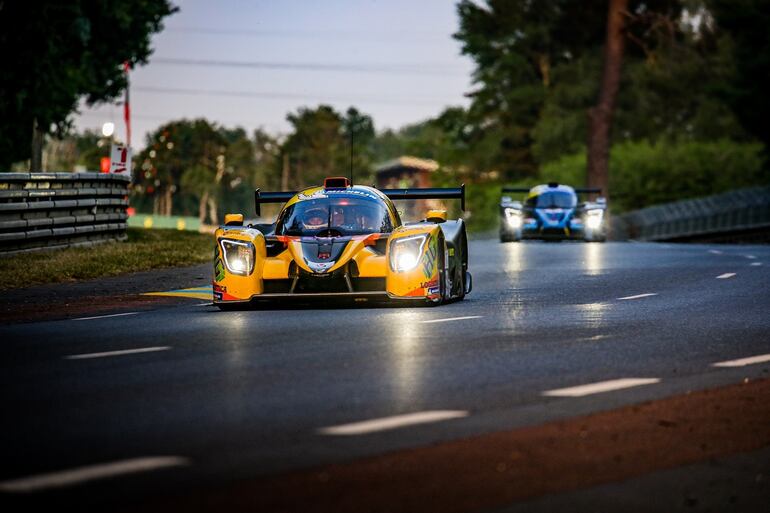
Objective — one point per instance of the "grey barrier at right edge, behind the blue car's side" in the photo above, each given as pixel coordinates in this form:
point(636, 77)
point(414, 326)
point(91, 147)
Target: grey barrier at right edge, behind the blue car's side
point(740, 215)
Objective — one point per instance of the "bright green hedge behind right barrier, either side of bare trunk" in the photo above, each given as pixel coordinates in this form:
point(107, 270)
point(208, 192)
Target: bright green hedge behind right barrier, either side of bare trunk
point(644, 173)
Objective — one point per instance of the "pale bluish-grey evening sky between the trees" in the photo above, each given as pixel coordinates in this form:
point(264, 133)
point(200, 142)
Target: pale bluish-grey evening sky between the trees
point(250, 63)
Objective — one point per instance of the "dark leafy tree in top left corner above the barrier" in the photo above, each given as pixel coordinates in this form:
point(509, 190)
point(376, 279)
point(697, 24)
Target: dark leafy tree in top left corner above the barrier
point(53, 54)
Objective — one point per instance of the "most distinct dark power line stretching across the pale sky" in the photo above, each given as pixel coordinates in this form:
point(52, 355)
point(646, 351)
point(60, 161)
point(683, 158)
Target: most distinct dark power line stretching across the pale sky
point(410, 69)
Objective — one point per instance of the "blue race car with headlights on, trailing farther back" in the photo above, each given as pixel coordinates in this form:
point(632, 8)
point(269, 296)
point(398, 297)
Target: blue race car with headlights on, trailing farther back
point(552, 212)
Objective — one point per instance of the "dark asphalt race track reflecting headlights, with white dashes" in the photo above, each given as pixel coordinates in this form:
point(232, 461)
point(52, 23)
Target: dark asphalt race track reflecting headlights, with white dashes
point(205, 398)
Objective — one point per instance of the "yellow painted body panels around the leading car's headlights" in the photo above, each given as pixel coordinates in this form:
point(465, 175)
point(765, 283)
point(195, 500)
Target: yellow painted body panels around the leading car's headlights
point(420, 282)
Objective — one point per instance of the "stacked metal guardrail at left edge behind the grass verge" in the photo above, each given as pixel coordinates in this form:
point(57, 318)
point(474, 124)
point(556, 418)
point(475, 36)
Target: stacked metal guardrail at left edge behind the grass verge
point(55, 210)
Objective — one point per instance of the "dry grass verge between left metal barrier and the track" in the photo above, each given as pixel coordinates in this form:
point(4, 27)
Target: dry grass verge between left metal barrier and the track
point(144, 250)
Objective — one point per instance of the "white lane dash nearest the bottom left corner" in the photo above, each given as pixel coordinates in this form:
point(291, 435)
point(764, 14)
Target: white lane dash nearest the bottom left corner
point(89, 473)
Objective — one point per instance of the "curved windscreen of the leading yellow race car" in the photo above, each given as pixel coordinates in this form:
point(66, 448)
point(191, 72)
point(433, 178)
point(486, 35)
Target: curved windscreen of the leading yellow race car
point(334, 216)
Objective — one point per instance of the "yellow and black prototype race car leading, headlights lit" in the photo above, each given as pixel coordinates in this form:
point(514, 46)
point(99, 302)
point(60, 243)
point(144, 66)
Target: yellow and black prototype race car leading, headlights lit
point(345, 241)
